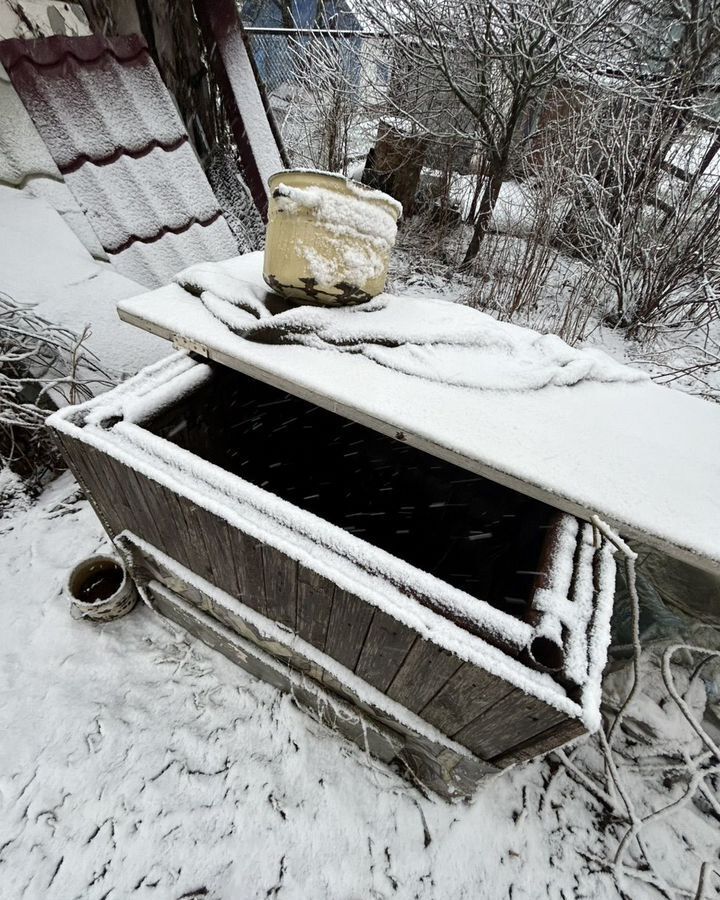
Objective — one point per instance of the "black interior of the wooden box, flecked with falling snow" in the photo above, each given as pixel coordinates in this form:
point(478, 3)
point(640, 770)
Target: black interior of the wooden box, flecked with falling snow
point(473, 534)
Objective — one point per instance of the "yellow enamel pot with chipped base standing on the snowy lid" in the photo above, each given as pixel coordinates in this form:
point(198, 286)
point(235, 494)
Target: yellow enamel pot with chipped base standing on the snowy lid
point(328, 238)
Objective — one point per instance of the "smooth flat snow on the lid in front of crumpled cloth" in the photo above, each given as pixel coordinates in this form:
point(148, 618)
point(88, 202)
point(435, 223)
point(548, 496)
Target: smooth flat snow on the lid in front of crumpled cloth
point(641, 456)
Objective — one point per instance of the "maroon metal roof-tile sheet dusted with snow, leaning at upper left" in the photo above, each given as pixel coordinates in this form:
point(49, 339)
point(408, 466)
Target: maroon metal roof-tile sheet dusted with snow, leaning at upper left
point(111, 127)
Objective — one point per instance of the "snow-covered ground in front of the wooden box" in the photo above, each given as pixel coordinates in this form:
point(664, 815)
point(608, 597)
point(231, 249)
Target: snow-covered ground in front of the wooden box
point(135, 762)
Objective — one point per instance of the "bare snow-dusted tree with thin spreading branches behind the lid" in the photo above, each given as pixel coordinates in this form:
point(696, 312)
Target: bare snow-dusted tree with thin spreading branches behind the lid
point(480, 70)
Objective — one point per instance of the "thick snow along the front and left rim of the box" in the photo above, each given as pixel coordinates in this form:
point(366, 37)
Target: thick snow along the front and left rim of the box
point(356, 566)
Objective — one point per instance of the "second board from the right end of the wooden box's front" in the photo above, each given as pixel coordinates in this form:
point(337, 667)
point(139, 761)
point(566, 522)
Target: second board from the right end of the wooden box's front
point(517, 718)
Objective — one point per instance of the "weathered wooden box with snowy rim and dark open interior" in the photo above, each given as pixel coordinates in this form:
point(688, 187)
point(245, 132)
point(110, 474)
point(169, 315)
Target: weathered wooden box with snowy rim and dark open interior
point(451, 626)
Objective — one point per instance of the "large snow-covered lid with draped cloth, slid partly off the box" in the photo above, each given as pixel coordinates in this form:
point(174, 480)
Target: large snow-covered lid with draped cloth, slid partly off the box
point(586, 437)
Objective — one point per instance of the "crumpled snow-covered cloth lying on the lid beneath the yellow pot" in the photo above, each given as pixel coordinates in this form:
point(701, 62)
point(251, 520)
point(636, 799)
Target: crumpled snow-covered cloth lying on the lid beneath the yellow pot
point(422, 337)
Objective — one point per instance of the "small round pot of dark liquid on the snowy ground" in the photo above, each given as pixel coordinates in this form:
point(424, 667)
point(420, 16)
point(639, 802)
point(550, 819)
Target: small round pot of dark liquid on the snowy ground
point(99, 589)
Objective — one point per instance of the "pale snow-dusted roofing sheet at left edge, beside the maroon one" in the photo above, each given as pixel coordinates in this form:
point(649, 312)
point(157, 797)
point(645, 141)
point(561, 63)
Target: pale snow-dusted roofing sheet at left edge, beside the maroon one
point(25, 163)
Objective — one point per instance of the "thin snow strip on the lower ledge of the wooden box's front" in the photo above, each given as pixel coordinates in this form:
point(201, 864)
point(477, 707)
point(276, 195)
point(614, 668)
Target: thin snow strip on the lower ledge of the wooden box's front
point(369, 695)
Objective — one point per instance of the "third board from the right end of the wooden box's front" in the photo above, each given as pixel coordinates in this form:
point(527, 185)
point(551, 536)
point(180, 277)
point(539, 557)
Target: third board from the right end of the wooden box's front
point(463, 697)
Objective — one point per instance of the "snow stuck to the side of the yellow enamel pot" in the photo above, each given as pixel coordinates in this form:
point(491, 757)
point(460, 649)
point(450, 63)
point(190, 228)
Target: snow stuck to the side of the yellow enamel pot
point(358, 232)
